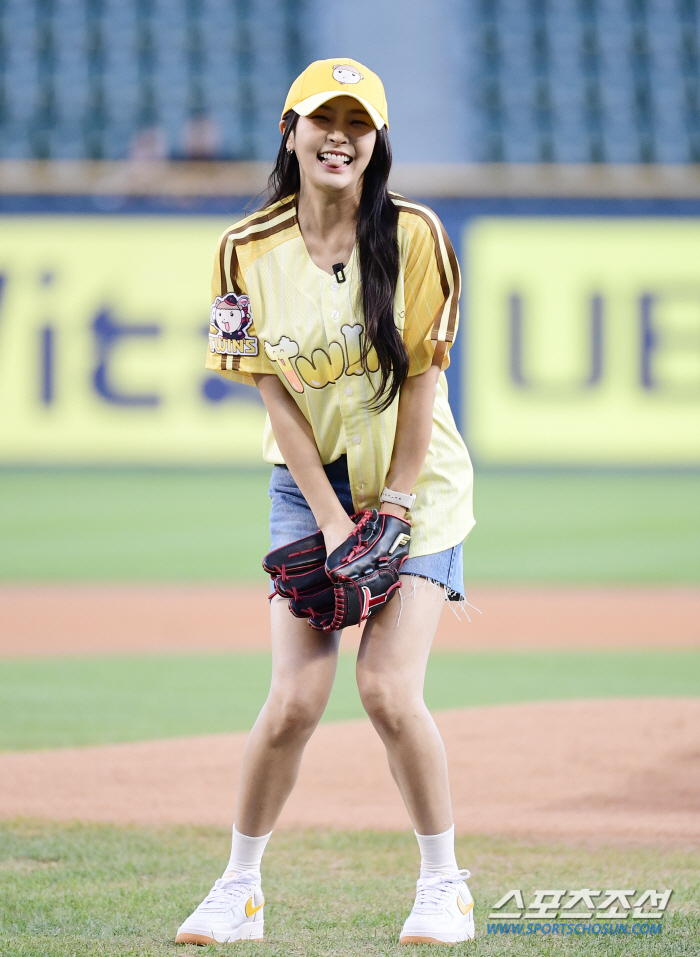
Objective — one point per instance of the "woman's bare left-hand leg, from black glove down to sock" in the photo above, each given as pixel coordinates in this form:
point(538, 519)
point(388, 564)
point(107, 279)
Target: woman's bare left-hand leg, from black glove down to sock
point(303, 668)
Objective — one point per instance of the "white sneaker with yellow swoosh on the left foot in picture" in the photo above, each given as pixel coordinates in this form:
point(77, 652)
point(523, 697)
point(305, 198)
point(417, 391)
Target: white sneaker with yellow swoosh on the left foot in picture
point(232, 910)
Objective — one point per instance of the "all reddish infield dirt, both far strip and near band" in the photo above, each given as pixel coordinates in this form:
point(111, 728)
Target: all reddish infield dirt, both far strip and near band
point(605, 770)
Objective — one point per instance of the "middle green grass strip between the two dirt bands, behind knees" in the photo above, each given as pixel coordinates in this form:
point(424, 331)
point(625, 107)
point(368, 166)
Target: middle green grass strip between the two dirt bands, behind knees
point(77, 701)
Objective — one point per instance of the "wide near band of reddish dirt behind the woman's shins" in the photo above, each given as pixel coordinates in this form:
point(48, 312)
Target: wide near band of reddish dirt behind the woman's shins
point(621, 770)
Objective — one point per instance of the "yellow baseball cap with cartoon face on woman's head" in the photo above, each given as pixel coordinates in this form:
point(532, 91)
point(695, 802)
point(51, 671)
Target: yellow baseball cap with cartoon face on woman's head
point(324, 79)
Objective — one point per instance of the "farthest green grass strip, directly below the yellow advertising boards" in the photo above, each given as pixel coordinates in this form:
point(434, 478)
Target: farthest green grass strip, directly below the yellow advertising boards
point(538, 527)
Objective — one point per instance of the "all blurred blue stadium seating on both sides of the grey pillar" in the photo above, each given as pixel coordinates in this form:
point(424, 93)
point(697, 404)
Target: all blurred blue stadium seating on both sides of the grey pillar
point(549, 80)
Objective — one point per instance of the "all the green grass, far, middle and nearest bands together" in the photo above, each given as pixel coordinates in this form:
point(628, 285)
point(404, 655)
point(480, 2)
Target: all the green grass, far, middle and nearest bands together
point(78, 890)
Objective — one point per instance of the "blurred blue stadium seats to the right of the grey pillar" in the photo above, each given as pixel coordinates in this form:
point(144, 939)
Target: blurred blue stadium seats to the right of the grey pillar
point(588, 80)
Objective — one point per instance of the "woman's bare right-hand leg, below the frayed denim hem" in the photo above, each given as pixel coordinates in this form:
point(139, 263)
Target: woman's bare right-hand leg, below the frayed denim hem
point(390, 675)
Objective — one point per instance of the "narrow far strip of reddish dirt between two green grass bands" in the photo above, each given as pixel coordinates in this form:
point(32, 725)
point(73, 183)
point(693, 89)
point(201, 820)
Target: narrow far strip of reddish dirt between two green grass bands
point(108, 619)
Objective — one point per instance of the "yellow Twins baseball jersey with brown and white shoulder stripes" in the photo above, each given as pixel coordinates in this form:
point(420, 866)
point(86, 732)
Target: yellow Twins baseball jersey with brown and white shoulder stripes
point(274, 311)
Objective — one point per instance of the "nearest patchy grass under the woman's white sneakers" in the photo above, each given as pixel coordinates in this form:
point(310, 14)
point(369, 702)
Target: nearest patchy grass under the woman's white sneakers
point(89, 890)
